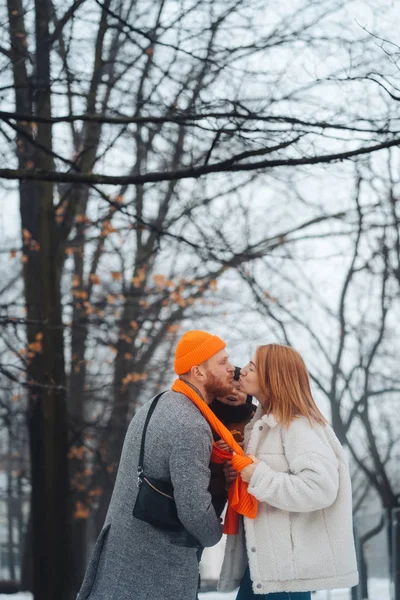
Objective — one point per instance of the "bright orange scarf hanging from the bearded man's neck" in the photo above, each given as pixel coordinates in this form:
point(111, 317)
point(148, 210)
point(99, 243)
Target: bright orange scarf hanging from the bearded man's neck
point(239, 499)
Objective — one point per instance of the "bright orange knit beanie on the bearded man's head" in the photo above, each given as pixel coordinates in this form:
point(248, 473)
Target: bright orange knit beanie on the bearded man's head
point(195, 347)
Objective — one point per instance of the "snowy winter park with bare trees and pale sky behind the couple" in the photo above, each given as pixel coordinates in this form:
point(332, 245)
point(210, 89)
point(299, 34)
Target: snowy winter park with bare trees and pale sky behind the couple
point(228, 165)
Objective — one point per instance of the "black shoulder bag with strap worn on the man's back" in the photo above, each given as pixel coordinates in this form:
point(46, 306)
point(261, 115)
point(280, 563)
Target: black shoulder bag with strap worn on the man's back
point(155, 502)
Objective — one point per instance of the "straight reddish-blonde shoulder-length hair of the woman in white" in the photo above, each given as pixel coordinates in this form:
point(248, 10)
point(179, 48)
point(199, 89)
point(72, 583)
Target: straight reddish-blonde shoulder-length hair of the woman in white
point(285, 381)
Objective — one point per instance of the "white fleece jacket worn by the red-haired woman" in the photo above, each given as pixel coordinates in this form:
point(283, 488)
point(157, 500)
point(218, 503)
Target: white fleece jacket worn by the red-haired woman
point(302, 537)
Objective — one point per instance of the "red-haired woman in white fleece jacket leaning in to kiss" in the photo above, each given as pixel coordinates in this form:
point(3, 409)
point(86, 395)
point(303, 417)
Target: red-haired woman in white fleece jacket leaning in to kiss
point(301, 539)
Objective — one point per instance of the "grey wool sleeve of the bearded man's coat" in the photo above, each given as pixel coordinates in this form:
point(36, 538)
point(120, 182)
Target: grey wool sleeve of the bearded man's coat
point(190, 476)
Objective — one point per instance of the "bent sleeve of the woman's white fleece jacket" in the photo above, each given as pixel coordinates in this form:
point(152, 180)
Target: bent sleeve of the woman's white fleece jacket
point(312, 482)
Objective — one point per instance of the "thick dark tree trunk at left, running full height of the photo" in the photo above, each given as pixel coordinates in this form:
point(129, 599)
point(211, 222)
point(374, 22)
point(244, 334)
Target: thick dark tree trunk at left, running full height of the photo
point(45, 357)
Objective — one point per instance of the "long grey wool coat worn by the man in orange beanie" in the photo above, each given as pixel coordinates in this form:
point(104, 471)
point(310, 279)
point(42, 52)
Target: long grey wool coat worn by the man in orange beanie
point(133, 560)
